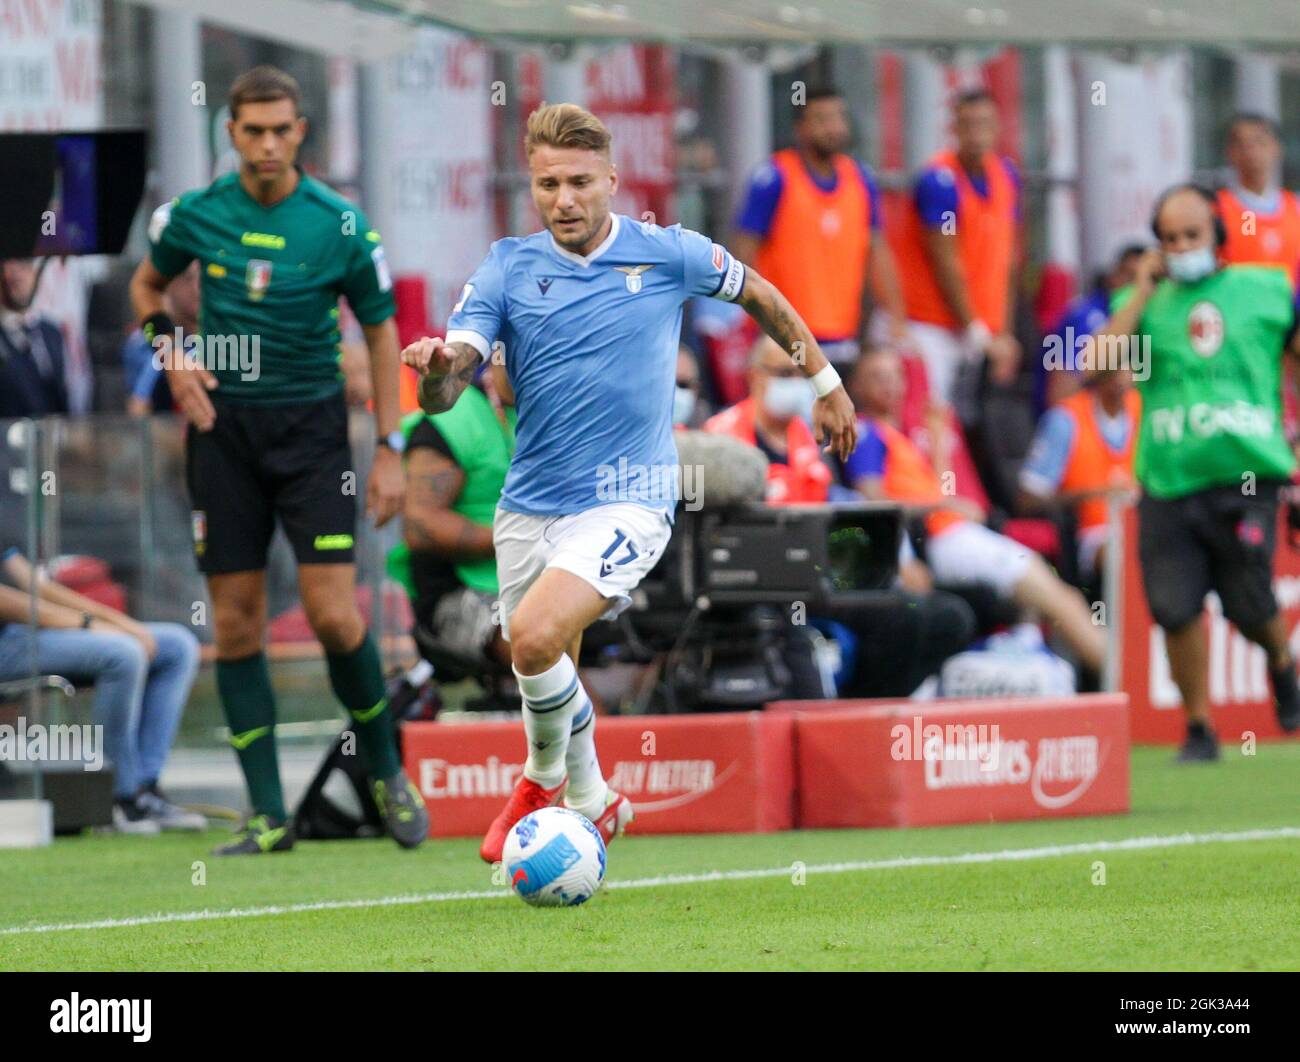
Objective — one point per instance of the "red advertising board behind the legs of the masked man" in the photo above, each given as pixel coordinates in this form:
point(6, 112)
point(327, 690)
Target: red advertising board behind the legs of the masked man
point(1241, 697)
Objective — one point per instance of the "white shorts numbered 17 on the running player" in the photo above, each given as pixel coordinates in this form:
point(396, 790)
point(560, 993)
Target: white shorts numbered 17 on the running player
point(612, 548)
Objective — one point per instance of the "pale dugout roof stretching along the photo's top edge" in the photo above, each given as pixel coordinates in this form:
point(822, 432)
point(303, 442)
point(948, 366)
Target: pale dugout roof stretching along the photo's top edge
point(372, 29)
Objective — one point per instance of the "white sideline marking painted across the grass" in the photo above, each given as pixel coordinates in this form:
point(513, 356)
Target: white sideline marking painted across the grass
point(1006, 856)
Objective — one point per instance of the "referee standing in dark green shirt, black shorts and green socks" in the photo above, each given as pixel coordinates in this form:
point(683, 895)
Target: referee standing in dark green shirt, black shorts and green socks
point(268, 436)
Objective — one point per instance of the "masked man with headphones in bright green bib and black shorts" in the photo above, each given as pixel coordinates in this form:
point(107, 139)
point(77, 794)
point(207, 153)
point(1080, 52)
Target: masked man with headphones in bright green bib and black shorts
point(1212, 456)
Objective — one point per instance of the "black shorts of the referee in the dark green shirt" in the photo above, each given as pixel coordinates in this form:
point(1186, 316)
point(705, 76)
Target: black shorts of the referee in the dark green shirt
point(259, 463)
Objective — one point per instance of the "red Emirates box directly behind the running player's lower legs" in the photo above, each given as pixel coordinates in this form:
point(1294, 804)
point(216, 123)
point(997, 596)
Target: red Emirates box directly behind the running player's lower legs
point(727, 773)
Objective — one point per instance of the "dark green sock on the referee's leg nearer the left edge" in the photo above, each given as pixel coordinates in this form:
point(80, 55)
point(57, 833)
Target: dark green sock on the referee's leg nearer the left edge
point(250, 706)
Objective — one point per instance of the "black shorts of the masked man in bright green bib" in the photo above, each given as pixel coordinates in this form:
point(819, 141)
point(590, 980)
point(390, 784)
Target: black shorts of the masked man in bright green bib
point(1219, 540)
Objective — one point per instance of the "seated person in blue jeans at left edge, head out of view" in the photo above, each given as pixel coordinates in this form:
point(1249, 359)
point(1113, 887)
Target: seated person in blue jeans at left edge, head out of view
point(142, 675)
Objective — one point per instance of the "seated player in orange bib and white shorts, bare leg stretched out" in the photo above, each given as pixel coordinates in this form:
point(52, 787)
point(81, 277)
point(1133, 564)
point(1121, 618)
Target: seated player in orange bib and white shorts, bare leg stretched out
point(959, 550)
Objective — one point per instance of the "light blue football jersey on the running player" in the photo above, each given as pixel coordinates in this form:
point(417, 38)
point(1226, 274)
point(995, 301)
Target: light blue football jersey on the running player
point(591, 349)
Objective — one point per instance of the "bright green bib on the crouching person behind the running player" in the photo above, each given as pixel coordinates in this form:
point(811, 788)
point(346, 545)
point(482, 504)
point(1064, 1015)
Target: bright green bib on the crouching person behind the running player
point(483, 450)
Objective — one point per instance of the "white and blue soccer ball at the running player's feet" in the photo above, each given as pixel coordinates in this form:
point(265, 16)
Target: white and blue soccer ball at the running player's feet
point(554, 859)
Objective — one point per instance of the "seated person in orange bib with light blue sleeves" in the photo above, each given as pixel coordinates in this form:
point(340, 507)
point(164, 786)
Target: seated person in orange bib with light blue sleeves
point(1084, 450)
